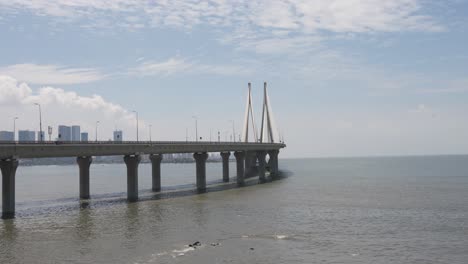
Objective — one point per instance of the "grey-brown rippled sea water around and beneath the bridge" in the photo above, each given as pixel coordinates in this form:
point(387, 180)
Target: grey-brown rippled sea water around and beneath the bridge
point(355, 210)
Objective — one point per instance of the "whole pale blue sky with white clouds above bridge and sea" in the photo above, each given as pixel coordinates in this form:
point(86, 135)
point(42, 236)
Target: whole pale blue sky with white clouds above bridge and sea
point(345, 77)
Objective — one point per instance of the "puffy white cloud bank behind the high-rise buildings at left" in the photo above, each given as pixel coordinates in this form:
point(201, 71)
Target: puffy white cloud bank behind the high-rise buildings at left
point(60, 107)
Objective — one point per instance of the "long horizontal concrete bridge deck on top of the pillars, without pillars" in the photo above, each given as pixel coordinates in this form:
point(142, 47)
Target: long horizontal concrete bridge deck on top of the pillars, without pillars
point(109, 148)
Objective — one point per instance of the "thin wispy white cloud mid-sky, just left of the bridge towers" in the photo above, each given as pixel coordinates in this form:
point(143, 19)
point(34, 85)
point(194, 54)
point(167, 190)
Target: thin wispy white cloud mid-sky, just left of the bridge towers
point(179, 65)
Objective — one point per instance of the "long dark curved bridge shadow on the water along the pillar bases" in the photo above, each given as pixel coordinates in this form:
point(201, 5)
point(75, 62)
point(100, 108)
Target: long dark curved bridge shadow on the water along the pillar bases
point(69, 205)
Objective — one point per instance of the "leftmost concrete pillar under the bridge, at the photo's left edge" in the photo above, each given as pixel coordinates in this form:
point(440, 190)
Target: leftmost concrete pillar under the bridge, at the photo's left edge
point(8, 168)
